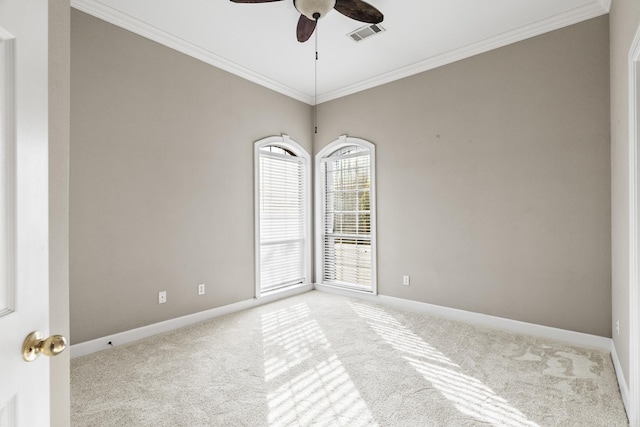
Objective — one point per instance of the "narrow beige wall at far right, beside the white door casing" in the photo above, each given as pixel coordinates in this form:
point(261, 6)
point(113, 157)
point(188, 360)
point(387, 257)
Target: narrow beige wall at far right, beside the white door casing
point(625, 19)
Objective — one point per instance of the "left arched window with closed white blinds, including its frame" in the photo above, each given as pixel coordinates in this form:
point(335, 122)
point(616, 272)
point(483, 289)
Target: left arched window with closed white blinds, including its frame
point(282, 203)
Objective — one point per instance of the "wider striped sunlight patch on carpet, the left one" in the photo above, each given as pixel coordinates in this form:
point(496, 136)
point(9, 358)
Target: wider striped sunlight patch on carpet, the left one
point(301, 390)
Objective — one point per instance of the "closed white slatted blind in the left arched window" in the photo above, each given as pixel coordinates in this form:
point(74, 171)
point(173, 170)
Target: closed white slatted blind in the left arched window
point(282, 220)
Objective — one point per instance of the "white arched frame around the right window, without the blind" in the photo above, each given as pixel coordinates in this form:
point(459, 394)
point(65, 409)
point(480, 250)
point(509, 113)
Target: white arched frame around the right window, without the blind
point(342, 142)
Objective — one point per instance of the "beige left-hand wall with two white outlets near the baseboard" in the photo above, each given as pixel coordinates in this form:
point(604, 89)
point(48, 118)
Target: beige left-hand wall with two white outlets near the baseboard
point(161, 179)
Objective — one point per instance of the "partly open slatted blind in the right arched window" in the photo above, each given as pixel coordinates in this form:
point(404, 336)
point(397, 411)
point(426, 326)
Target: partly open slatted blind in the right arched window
point(346, 242)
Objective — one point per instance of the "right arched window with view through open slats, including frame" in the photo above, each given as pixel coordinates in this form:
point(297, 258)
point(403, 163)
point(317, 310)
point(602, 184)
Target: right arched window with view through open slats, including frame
point(345, 216)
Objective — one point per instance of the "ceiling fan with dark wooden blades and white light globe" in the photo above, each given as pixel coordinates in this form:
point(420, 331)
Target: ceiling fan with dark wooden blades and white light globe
point(312, 10)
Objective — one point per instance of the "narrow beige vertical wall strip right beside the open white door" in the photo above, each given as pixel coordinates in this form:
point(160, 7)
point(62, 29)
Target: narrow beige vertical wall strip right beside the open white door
point(59, 32)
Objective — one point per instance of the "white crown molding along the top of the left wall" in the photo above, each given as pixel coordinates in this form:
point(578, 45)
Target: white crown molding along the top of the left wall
point(122, 20)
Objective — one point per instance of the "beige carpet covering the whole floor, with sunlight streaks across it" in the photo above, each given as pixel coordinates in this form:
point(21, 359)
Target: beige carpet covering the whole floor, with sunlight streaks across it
point(325, 360)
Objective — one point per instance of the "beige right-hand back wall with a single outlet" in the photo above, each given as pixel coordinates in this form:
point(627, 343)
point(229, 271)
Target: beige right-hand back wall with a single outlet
point(493, 178)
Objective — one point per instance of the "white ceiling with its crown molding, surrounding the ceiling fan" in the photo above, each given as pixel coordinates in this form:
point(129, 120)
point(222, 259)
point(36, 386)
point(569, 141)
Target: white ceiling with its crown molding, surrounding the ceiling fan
point(258, 41)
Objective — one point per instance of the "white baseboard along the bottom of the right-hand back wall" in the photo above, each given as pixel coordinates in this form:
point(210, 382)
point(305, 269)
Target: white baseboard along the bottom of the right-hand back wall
point(570, 337)
